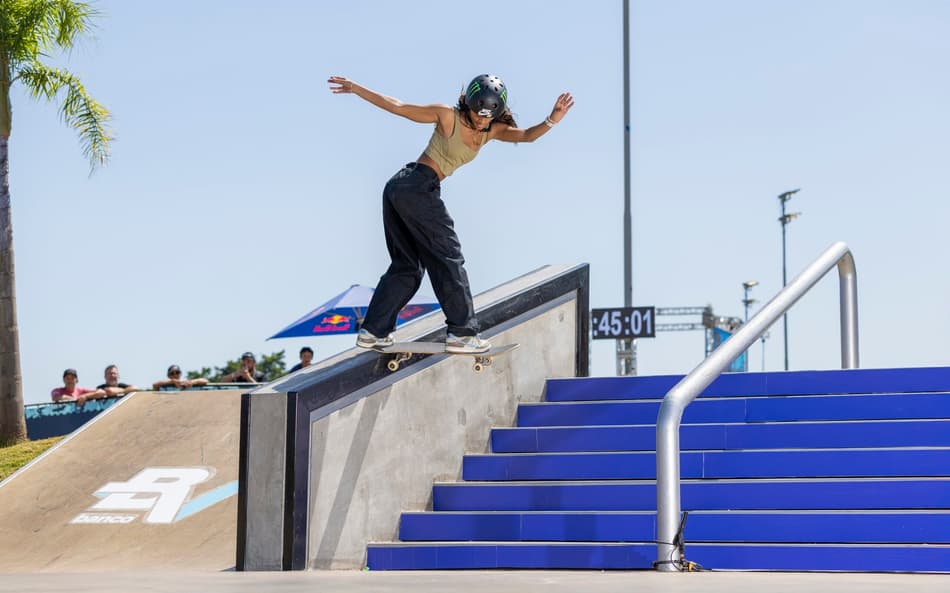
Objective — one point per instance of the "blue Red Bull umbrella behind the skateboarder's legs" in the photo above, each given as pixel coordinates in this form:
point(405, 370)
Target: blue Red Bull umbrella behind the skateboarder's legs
point(344, 313)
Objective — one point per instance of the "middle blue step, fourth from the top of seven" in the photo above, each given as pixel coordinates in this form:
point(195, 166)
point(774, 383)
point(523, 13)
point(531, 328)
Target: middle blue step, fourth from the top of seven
point(710, 464)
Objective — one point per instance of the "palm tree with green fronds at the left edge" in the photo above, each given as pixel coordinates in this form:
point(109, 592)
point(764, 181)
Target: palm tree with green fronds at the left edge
point(29, 30)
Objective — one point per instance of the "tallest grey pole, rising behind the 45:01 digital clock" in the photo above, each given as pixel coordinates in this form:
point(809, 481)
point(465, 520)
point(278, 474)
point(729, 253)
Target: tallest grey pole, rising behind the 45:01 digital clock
point(627, 348)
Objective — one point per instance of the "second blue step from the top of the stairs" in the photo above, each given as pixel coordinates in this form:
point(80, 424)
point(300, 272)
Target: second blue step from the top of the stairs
point(787, 409)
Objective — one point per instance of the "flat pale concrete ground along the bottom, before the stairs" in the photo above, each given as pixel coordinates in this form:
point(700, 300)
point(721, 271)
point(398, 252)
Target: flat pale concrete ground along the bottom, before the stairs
point(464, 581)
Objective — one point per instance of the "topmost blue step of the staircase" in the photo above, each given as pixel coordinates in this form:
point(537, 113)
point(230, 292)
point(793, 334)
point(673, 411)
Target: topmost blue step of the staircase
point(925, 379)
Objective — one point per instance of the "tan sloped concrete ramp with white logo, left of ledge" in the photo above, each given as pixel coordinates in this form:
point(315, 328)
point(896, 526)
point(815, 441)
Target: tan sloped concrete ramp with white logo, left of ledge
point(149, 484)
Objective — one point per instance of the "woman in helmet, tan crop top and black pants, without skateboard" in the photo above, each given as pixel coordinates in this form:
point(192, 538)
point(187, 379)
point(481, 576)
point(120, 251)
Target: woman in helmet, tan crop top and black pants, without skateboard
point(420, 234)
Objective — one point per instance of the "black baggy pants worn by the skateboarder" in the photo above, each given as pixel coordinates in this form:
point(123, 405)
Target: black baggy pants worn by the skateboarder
point(420, 236)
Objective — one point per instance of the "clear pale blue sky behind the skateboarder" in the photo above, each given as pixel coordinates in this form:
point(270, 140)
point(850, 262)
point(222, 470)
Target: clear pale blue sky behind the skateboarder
point(242, 193)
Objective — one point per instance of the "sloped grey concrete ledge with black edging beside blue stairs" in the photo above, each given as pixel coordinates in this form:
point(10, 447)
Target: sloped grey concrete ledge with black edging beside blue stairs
point(358, 444)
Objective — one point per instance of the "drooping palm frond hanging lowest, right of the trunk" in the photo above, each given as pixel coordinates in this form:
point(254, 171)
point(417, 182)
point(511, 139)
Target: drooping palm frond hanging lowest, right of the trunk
point(78, 109)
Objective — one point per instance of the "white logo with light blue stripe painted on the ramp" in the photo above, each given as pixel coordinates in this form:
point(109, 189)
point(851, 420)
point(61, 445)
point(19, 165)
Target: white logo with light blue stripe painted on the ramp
point(162, 491)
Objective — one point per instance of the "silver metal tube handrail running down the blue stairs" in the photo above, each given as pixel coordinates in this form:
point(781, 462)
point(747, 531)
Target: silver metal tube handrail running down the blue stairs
point(684, 392)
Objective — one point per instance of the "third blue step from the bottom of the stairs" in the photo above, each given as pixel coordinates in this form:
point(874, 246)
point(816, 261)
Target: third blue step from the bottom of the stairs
point(824, 494)
